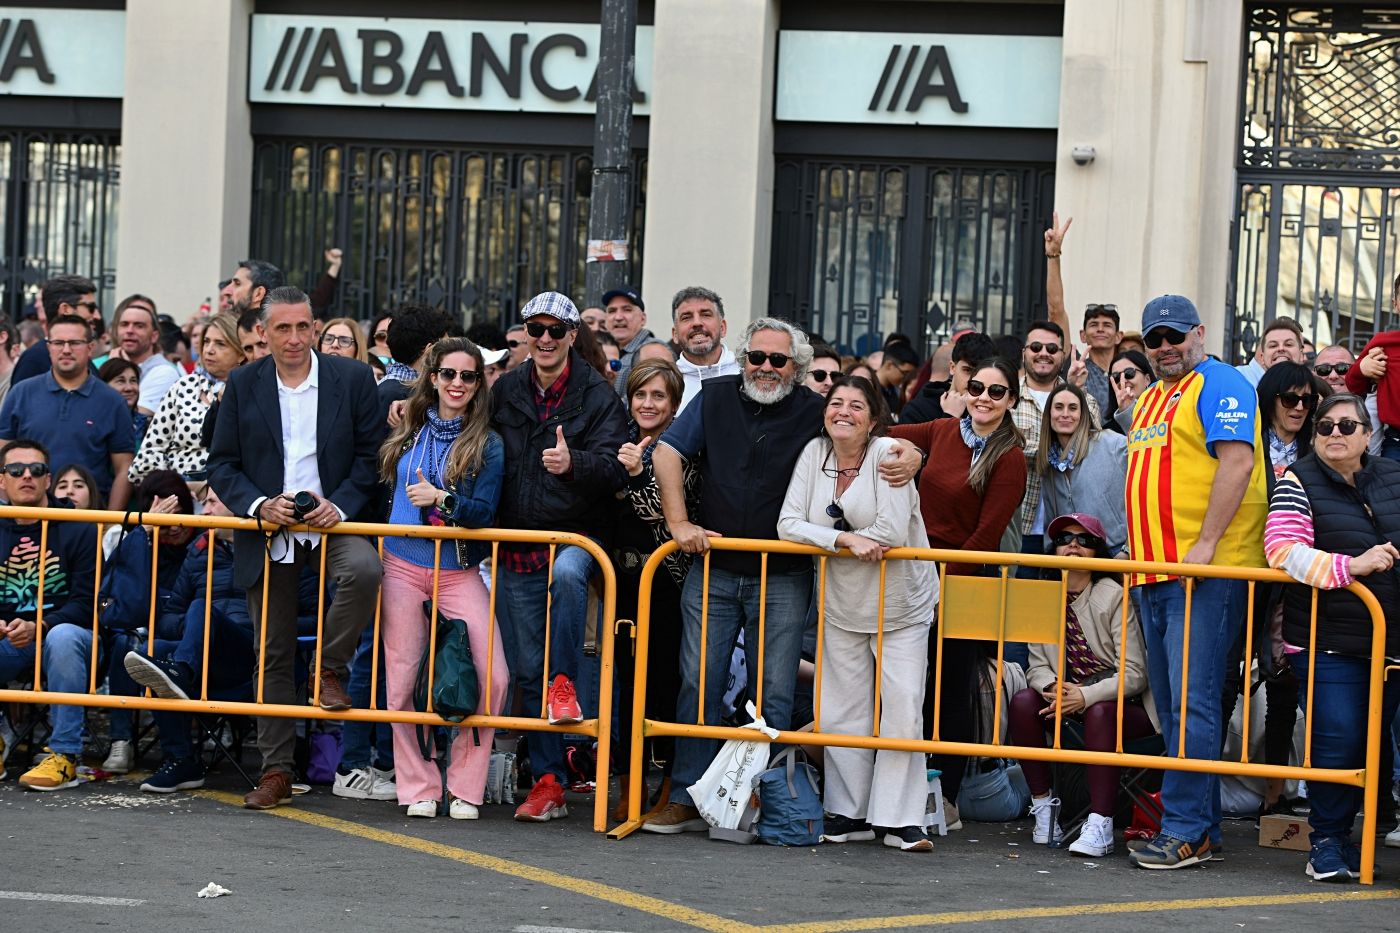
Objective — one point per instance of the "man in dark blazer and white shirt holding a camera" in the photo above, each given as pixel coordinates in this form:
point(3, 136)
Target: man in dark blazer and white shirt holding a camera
point(297, 422)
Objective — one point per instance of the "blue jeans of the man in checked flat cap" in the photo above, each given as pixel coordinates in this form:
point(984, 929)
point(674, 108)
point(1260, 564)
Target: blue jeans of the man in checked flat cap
point(520, 610)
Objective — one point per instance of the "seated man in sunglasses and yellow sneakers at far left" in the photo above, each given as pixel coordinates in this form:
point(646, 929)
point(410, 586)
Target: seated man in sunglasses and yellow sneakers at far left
point(66, 597)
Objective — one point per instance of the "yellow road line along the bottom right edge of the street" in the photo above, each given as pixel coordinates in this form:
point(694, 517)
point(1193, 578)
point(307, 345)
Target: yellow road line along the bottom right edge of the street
point(1074, 910)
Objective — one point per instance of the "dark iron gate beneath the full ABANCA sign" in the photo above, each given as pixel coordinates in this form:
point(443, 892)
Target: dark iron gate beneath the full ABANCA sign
point(475, 232)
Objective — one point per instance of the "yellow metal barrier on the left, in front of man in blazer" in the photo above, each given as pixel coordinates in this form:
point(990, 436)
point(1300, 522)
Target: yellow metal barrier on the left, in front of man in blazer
point(600, 729)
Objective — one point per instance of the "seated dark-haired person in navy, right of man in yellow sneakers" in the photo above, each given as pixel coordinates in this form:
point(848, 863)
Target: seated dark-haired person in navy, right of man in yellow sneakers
point(125, 599)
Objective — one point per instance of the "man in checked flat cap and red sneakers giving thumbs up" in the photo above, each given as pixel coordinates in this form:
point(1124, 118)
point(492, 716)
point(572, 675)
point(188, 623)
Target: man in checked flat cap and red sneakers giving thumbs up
point(562, 425)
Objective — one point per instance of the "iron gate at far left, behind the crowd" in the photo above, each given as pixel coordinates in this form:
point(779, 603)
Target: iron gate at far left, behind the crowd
point(58, 212)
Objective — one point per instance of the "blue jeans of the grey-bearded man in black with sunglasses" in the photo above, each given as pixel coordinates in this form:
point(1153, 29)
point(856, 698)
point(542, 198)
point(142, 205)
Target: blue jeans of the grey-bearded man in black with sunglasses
point(734, 606)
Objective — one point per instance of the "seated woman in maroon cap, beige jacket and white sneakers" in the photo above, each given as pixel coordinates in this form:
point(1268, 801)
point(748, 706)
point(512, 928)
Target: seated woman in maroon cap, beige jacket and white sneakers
point(1094, 641)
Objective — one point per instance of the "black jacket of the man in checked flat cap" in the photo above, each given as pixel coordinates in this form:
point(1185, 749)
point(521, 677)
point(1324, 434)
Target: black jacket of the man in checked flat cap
point(596, 427)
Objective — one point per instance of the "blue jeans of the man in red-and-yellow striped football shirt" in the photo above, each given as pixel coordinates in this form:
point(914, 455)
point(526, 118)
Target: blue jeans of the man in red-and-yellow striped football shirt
point(1191, 802)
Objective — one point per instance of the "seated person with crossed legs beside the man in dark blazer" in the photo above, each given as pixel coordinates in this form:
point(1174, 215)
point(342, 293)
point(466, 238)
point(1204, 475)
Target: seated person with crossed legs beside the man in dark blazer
point(173, 670)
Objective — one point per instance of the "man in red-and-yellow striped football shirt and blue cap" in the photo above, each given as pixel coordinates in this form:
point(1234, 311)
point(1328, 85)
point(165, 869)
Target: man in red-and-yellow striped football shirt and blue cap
point(1196, 495)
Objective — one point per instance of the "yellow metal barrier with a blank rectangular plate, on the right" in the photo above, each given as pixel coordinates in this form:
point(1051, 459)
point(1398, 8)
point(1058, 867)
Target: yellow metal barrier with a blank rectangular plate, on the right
point(1006, 610)
